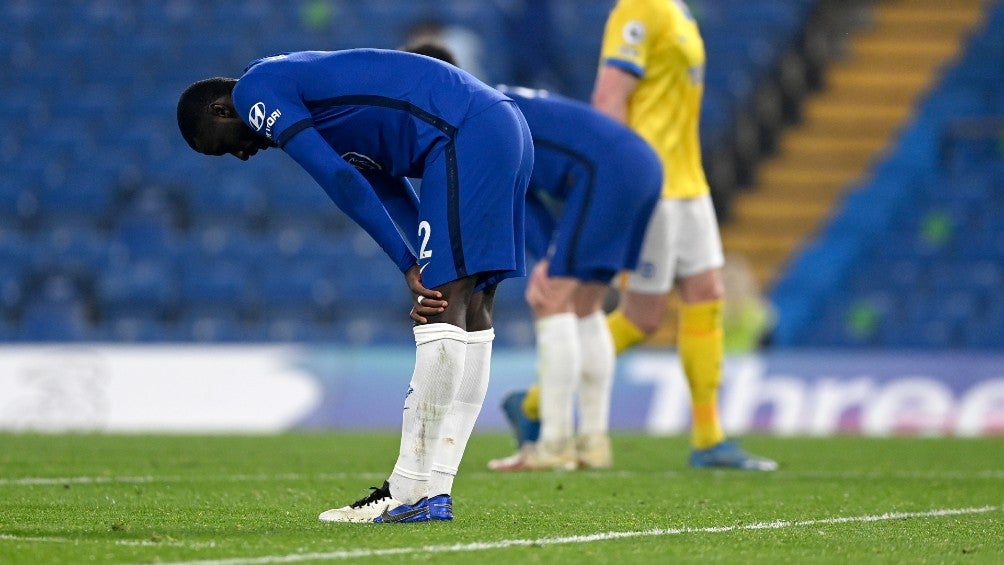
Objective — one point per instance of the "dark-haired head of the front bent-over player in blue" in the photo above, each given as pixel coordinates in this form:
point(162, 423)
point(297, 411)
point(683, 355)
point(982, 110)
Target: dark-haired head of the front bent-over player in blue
point(209, 122)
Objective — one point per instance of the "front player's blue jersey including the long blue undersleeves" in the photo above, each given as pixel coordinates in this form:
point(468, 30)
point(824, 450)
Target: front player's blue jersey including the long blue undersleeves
point(361, 122)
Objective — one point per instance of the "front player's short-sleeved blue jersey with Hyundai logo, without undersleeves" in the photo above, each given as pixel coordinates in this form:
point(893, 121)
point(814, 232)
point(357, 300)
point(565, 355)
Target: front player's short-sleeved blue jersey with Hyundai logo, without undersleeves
point(388, 108)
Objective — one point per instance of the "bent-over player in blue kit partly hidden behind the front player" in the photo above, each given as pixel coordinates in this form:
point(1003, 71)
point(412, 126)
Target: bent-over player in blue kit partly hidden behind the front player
point(594, 189)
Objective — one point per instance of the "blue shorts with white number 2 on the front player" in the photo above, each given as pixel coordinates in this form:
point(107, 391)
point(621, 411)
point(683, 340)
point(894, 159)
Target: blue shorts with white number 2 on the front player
point(471, 210)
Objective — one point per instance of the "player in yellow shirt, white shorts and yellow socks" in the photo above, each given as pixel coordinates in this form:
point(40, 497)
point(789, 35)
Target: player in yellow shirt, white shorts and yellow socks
point(652, 79)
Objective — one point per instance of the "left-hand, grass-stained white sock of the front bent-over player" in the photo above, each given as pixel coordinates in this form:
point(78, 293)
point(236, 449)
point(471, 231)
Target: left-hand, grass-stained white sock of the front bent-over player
point(440, 356)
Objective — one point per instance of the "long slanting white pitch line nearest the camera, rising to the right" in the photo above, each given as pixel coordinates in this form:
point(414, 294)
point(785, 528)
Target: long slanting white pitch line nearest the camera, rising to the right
point(589, 538)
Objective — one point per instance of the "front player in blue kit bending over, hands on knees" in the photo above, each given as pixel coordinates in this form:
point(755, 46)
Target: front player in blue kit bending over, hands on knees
point(362, 123)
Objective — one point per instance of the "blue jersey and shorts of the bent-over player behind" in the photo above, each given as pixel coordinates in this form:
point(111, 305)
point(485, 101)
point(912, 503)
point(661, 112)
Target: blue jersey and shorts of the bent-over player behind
point(598, 181)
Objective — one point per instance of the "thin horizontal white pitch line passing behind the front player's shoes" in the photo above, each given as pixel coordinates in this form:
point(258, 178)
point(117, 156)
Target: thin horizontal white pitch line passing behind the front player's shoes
point(602, 475)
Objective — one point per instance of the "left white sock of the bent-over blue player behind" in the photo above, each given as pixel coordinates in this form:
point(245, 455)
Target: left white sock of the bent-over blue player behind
point(560, 364)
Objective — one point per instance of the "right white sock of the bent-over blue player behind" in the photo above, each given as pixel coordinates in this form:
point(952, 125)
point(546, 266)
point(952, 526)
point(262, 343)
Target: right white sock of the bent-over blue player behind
point(599, 361)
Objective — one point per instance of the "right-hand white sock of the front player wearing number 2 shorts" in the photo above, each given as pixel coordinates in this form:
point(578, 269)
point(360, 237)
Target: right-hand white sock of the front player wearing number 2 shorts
point(463, 414)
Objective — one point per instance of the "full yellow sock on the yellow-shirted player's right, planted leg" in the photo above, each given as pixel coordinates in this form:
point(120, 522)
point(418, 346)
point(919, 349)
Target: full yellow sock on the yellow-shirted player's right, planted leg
point(702, 351)
